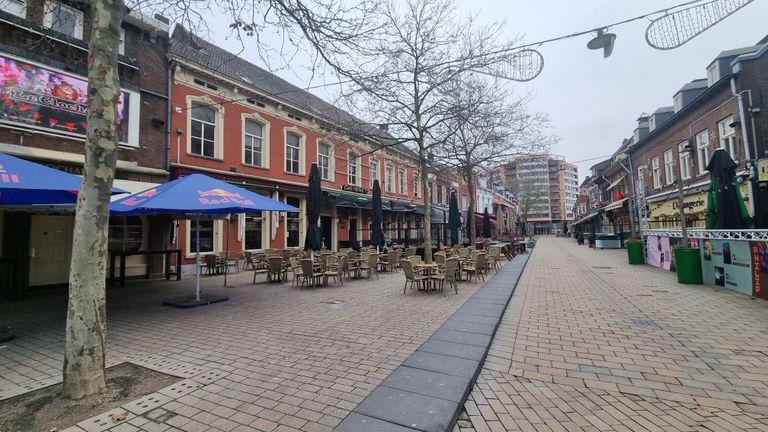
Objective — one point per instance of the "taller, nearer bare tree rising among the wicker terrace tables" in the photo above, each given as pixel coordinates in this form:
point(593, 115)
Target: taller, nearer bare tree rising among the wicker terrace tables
point(399, 75)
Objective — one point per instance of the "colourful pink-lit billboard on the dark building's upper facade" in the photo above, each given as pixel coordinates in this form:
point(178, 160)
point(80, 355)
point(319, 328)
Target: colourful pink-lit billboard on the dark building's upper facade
point(42, 98)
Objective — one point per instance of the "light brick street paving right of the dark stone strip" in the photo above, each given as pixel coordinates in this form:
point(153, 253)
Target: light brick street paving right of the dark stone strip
point(590, 343)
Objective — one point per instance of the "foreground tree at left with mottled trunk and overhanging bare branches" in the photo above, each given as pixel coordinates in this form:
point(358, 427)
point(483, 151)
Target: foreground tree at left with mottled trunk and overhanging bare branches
point(327, 26)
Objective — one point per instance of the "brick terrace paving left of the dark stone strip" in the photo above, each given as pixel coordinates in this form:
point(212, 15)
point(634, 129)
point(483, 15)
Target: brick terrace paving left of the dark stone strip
point(272, 358)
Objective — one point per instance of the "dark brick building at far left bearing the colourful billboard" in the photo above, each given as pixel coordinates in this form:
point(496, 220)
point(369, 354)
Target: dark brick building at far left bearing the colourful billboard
point(43, 51)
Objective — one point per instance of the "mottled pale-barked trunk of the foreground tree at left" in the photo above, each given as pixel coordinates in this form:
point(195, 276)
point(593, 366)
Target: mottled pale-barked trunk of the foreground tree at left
point(85, 345)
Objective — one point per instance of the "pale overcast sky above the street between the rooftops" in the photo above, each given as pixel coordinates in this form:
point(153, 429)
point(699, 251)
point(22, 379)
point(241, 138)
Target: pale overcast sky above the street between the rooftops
point(593, 103)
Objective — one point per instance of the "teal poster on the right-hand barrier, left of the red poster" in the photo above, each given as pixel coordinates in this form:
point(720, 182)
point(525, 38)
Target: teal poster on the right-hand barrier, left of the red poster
point(727, 264)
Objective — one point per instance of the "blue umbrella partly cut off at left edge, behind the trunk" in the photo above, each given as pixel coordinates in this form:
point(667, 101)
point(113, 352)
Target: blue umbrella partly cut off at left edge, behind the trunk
point(25, 183)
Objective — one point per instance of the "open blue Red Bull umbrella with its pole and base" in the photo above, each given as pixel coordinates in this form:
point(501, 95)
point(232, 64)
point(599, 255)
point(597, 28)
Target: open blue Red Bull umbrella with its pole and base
point(196, 195)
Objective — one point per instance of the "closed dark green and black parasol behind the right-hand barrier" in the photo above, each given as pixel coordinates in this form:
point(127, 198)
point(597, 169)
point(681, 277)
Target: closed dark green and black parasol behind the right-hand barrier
point(725, 205)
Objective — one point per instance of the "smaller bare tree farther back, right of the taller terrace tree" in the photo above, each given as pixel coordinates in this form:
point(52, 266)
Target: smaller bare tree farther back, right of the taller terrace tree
point(488, 127)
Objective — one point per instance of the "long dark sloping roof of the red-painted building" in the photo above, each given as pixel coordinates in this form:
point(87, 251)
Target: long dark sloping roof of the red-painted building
point(187, 46)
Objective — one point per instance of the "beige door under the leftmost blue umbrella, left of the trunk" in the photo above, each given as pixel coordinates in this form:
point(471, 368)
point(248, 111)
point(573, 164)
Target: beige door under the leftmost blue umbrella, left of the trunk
point(50, 249)
